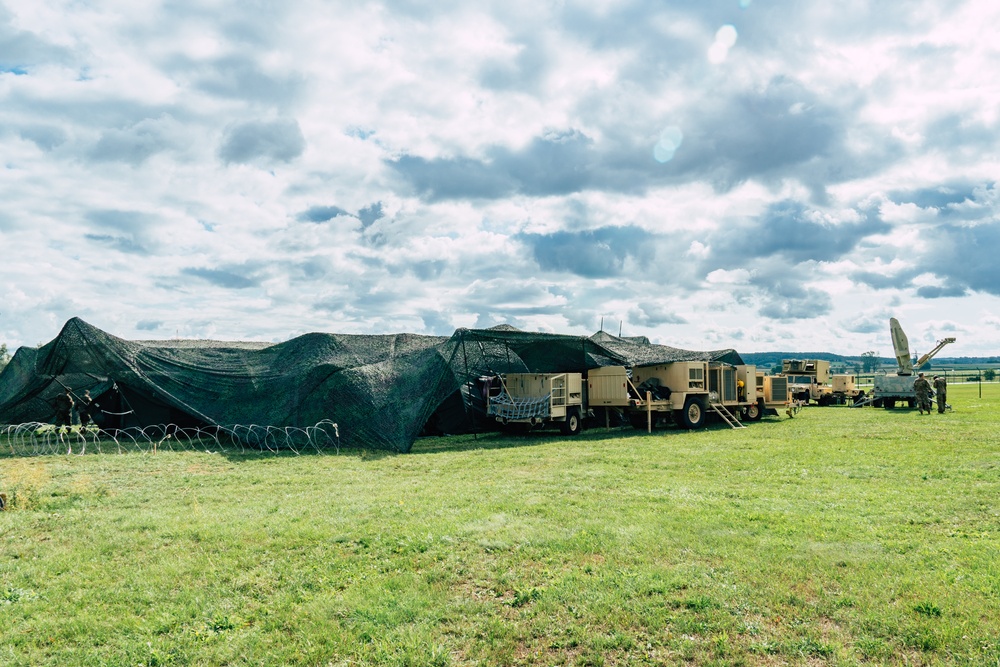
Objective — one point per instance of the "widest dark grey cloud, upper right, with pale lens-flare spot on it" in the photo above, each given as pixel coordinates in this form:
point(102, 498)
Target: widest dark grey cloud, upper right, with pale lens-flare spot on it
point(782, 130)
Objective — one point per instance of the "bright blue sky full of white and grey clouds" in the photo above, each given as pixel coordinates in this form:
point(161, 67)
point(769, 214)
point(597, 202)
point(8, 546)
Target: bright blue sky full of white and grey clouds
point(761, 175)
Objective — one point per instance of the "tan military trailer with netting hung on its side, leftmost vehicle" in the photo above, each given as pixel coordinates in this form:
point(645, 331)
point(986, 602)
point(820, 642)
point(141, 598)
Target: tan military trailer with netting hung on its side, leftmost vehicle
point(539, 400)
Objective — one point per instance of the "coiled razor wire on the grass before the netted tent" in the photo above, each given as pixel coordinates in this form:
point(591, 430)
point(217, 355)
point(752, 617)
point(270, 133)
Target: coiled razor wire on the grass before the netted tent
point(37, 439)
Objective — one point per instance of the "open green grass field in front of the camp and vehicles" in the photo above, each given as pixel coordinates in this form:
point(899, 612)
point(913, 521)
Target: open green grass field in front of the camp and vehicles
point(839, 537)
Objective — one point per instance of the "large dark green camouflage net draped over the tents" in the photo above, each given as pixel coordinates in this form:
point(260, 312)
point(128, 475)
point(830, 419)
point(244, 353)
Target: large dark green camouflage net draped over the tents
point(383, 391)
